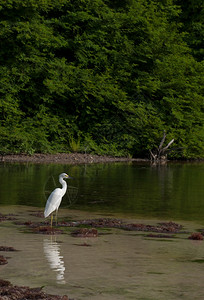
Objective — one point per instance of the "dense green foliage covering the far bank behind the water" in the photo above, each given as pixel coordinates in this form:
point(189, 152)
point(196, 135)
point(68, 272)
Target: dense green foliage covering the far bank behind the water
point(103, 76)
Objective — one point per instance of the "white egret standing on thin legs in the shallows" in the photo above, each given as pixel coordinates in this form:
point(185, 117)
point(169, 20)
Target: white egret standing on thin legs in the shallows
point(55, 198)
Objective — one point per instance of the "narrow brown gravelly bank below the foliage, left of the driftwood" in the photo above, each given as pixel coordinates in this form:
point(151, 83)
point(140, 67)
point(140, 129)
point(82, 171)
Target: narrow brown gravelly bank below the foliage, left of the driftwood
point(67, 158)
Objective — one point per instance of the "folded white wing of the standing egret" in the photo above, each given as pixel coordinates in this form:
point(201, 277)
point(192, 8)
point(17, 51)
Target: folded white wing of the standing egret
point(53, 202)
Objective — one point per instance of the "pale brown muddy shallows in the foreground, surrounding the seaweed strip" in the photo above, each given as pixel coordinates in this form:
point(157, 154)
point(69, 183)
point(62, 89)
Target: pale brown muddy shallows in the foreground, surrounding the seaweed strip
point(117, 264)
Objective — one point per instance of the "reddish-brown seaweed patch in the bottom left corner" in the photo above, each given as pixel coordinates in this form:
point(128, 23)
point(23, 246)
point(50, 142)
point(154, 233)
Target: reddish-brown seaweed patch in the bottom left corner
point(13, 292)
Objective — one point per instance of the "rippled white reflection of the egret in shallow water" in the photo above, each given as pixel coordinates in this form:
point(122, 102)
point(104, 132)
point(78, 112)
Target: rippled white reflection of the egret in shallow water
point(52, 253)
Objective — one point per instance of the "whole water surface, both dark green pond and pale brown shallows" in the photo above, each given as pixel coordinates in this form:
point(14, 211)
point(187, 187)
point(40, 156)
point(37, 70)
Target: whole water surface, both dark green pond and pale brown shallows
point(118, 264)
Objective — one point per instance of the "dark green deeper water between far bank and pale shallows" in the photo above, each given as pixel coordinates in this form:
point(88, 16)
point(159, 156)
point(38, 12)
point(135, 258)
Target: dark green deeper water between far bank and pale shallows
point(173, 191)
